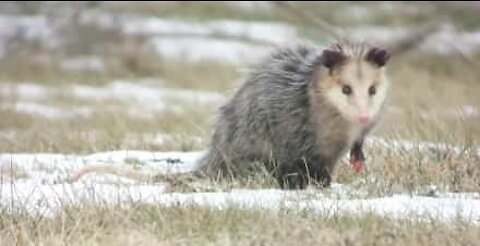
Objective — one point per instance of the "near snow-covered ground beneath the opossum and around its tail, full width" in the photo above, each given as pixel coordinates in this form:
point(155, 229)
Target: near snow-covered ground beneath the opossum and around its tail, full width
point(45, 189)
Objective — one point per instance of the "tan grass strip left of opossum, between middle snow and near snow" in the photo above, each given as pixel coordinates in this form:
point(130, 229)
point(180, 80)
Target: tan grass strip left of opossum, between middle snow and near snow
point(104, 130)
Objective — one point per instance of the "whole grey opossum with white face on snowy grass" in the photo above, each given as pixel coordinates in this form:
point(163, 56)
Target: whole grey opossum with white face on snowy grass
point(298, 112)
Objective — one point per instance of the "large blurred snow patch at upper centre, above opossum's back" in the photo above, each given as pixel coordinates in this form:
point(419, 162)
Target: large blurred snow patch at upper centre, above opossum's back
point(195, 41)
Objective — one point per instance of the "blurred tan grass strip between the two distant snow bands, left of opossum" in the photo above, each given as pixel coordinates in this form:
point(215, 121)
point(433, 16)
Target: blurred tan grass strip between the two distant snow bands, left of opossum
point(214, 76)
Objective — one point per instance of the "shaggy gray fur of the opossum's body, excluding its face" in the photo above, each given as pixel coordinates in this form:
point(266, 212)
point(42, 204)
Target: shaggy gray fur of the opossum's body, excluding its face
point(271, 120)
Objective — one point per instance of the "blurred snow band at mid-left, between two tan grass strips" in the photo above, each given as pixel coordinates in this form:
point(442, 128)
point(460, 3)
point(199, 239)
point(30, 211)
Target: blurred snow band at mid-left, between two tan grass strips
point(142, 98)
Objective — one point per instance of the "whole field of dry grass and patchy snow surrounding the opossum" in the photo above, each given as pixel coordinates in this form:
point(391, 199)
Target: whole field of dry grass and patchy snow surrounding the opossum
point(138, 85)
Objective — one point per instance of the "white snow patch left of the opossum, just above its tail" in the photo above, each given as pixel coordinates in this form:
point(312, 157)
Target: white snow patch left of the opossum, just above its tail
point(49, 168)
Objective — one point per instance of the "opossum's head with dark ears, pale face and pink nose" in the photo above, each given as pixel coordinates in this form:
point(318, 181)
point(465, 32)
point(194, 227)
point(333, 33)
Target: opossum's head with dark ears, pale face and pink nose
point(354, 81)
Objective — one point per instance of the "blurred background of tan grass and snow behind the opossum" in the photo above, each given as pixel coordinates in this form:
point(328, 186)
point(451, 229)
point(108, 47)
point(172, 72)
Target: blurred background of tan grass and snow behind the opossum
point(93, 76)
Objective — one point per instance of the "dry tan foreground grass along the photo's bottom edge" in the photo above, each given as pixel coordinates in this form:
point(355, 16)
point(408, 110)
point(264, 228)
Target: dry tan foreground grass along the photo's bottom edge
point(192, 225)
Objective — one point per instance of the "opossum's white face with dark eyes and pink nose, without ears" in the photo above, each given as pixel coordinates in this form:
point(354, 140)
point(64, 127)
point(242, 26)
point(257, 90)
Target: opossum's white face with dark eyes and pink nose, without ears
point(357, 88)
